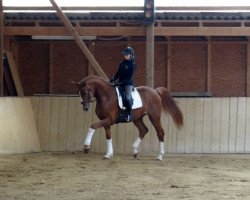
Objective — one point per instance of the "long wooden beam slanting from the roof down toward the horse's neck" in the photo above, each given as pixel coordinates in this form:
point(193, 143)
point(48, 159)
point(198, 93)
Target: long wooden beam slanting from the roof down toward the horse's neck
point(80, 43)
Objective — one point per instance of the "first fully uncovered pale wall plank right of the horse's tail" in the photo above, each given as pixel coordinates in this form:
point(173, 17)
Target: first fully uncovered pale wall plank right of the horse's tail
point(190, 118)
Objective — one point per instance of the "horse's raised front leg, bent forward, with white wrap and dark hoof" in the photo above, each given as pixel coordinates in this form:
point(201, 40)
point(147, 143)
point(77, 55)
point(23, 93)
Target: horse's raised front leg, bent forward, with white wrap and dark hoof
point(91, 130)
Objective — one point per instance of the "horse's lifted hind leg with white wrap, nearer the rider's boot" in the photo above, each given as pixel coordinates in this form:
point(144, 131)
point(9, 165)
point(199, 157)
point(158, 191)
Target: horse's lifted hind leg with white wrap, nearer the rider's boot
point(142, 132)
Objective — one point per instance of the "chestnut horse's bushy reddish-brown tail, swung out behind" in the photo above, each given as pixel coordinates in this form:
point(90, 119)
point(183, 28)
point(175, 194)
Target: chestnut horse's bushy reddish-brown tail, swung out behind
point(170, 106)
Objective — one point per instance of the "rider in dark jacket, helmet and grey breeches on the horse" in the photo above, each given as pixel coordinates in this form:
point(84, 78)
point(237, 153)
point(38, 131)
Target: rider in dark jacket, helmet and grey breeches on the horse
point(124, 77)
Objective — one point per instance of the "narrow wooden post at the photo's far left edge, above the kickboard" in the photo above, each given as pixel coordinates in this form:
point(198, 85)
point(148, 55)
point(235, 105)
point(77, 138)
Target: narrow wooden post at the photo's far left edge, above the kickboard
point(1, 47)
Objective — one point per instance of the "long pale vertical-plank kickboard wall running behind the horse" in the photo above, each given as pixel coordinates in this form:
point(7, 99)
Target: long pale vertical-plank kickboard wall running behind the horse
point(212, 125)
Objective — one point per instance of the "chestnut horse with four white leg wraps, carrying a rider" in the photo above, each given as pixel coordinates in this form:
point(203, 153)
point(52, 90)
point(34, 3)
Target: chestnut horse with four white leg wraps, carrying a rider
point(94, 88)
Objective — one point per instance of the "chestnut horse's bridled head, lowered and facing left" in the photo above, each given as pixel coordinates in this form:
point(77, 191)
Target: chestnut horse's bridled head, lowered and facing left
point(86, 94)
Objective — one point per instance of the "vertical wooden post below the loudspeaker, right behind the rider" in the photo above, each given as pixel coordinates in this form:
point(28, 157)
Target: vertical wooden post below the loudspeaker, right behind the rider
point(150, 55)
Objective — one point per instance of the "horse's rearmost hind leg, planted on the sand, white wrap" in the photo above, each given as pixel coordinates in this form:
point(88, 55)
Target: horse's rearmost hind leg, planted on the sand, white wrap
point(160, 133)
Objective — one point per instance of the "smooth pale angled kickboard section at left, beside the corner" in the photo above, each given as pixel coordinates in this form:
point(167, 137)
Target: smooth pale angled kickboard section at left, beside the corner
point(18, 131)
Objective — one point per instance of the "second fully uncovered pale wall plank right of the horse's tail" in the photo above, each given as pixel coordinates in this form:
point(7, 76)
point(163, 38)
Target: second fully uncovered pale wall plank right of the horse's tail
point(198, 125)
